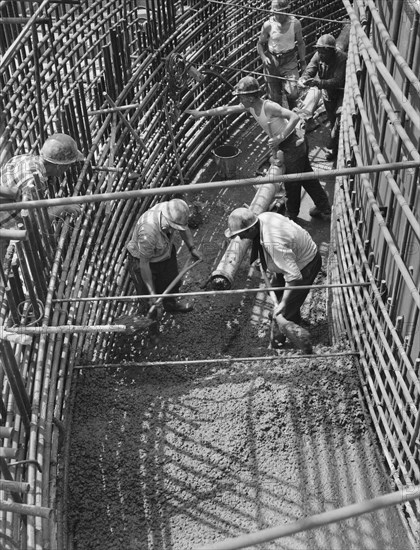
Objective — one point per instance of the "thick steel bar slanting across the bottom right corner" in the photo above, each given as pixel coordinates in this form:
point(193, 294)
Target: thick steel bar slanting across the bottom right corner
point(407, 494)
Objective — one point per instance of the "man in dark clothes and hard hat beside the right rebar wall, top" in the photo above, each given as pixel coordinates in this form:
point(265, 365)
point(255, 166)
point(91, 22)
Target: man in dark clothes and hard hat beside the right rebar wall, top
point(327, 71)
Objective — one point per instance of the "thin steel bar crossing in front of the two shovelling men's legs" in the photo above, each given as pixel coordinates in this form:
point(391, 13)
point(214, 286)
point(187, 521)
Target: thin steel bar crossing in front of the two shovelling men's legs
point(205, 293)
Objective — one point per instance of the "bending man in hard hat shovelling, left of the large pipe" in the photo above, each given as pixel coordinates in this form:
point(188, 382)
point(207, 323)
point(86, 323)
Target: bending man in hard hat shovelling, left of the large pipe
point(152, 254)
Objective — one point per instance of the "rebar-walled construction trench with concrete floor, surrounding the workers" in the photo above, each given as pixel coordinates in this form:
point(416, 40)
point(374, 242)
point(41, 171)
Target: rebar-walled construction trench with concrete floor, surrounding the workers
point(113, 439)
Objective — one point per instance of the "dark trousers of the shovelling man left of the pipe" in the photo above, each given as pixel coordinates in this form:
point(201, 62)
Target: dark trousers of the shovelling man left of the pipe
point(163, 274)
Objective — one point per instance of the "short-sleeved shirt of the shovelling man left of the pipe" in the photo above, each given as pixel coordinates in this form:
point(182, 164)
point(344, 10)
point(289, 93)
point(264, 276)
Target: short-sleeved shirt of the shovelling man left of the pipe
point(148, 240)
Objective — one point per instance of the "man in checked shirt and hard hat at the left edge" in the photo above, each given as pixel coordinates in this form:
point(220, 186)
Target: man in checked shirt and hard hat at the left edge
point(29, 174)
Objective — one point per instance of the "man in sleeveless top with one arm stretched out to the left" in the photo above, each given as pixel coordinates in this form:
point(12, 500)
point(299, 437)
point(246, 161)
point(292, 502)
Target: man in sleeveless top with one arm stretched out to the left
point(279, 124)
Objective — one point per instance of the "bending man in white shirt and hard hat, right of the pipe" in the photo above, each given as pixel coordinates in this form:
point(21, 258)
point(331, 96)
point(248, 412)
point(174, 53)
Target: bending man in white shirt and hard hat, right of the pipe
point(287, 251)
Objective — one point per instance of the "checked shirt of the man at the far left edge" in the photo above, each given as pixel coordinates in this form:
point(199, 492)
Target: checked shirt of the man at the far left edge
point(19, 172)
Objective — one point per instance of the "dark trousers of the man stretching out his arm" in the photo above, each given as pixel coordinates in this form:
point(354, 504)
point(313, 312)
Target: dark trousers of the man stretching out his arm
point(296, 161)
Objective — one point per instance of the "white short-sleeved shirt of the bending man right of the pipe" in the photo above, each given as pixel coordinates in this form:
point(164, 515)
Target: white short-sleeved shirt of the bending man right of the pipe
point(288, 248)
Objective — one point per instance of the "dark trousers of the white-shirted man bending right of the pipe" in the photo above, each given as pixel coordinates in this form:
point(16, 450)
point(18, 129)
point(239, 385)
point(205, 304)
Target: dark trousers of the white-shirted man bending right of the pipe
point(297, 297)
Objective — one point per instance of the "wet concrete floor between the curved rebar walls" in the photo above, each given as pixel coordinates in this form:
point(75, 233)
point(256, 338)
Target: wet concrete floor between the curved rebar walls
point(175, 456)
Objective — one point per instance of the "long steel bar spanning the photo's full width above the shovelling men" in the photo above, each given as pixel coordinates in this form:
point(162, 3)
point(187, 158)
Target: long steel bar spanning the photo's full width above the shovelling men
point(126, 195)
